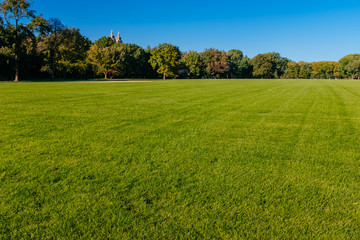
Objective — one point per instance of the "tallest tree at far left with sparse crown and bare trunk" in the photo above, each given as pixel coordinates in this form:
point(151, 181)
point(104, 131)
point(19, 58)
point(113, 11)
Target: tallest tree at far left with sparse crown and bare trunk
point(18, 28)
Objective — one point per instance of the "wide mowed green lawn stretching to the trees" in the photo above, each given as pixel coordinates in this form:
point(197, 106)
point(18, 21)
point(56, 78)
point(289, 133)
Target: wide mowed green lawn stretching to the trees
point(180, 159)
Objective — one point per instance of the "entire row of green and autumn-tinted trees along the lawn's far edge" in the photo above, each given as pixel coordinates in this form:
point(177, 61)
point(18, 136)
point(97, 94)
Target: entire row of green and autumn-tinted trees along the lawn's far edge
point(33, 47)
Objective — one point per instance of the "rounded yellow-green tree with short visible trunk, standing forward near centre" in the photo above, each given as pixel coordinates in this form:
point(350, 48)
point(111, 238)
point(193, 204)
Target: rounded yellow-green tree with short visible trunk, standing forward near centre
point(165, 59)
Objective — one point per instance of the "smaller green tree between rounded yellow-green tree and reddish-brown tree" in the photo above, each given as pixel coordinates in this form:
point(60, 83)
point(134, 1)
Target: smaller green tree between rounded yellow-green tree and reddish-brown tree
point(193, 63)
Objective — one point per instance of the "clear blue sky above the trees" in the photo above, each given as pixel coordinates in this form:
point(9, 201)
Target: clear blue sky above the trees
point(300, 30)
